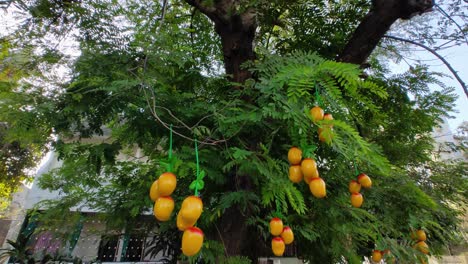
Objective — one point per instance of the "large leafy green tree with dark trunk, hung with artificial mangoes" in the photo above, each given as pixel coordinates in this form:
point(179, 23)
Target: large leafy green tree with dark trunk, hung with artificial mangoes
point(143, 67)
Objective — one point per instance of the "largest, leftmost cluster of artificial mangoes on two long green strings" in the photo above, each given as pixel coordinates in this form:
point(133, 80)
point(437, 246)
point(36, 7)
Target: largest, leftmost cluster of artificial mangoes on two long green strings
point(190, 211)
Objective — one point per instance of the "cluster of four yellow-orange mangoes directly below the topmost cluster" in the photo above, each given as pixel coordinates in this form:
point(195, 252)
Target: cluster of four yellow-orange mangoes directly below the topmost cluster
point(305, 169)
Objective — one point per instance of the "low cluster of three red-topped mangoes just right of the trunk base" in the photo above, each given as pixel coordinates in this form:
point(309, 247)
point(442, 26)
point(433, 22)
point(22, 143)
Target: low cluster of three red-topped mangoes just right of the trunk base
point(282, 236)
